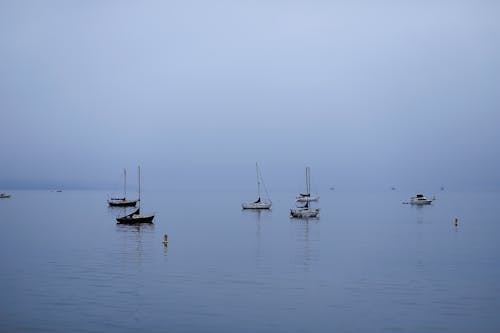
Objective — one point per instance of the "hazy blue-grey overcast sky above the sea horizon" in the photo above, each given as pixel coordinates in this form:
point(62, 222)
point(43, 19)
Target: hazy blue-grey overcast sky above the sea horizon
point(368, 93)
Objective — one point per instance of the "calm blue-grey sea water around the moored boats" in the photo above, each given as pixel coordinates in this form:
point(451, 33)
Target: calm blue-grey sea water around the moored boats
point(369, 263)
